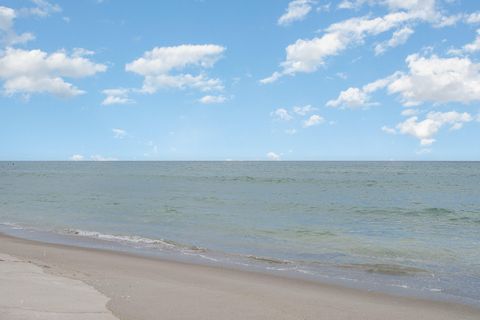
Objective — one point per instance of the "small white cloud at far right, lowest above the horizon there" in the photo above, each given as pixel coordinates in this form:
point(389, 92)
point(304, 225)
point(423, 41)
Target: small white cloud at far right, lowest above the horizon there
point(426, 129)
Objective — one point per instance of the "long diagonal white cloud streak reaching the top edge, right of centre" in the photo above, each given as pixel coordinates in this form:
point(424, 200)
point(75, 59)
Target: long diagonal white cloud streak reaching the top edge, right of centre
point(308, 55)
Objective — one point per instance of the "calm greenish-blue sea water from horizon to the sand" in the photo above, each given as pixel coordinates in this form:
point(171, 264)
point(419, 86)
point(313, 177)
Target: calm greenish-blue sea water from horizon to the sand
point(404, 227)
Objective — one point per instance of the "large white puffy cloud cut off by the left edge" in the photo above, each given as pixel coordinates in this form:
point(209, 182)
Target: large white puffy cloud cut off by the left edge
point(35, 71)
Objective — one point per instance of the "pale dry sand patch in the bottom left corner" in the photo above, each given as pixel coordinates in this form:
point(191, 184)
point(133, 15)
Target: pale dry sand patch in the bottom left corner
point(26, 292)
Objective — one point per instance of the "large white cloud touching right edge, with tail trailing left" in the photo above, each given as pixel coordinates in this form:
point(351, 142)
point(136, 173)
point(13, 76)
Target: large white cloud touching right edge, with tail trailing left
point(429, 79)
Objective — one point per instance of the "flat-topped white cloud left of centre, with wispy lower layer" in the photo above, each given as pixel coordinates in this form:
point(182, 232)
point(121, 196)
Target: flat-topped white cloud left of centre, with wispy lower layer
point(165, 67)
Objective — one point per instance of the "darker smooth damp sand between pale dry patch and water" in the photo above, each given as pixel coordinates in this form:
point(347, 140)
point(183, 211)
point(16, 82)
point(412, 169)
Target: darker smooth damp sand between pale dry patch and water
point(147, 288)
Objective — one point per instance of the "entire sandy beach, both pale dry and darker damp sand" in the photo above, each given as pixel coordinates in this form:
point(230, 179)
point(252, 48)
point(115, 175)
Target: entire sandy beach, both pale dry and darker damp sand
point(134, 287)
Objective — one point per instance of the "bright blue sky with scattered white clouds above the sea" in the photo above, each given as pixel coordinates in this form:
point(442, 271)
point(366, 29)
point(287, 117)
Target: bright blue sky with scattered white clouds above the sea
point(239, 80)
